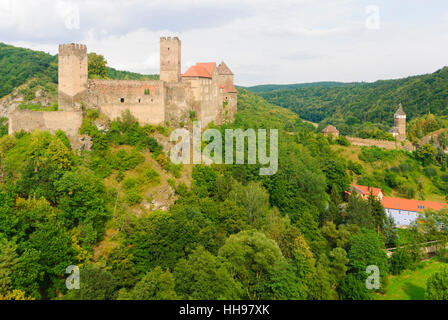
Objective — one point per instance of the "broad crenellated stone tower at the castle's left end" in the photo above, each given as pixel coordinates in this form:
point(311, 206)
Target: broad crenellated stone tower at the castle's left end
point(73, 75)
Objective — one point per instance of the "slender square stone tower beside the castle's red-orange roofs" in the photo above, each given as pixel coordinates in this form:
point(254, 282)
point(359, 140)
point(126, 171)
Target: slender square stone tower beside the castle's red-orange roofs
point(170, 59)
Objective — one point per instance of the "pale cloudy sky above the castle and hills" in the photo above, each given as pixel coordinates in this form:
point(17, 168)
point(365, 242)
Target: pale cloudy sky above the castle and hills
point(262, 41)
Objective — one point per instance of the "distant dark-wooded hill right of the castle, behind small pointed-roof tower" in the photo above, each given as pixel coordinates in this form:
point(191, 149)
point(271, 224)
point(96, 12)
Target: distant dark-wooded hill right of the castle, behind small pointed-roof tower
point(364, 102)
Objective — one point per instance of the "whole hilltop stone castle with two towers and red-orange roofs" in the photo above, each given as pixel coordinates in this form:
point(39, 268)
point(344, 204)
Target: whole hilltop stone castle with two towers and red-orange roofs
point(205, 91)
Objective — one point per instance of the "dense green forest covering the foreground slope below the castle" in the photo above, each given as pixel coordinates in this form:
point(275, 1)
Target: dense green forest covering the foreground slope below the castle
point(230, 234)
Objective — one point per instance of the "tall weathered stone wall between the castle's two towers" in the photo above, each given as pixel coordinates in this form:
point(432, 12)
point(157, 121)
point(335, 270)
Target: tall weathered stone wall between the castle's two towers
point(144, 99)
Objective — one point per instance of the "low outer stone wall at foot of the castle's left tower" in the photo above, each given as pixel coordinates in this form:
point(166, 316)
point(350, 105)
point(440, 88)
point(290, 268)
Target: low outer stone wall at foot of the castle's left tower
point(27, 120)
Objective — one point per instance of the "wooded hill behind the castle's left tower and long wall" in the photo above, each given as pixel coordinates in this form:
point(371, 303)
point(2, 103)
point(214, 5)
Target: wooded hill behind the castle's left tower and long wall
point(18, 65)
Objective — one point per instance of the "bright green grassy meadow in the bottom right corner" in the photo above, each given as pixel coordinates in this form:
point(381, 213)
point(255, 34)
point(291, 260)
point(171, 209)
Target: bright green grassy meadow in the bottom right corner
point(411, 284)
